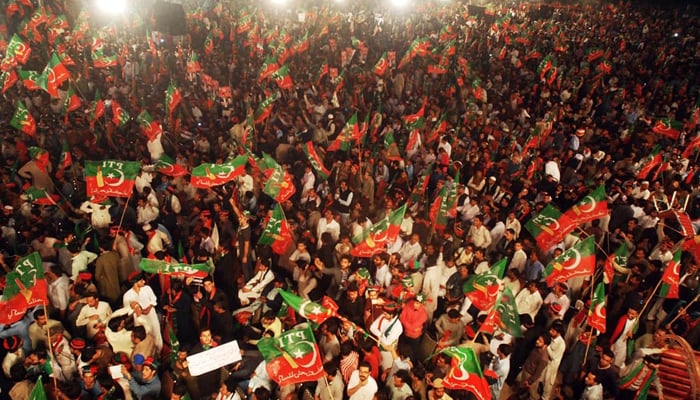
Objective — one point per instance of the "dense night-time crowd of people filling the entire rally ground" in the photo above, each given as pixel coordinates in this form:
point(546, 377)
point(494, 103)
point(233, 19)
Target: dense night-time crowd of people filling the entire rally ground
point(512, 107)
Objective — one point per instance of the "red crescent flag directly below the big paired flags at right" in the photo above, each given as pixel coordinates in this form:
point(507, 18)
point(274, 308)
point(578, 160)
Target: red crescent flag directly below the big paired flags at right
point(578, 260)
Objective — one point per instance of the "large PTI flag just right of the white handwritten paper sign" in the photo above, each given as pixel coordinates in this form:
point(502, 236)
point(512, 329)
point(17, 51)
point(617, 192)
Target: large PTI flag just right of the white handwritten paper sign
point(292, 357)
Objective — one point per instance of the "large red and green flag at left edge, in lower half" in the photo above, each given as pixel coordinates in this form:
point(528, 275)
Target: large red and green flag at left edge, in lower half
point(25, 288)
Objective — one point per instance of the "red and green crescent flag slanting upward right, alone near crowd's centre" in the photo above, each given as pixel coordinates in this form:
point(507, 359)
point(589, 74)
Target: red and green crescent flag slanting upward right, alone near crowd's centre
point(375, 239)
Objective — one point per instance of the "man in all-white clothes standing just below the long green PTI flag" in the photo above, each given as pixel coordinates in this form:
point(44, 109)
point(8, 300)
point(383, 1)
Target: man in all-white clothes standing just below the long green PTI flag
point(141, 299)
